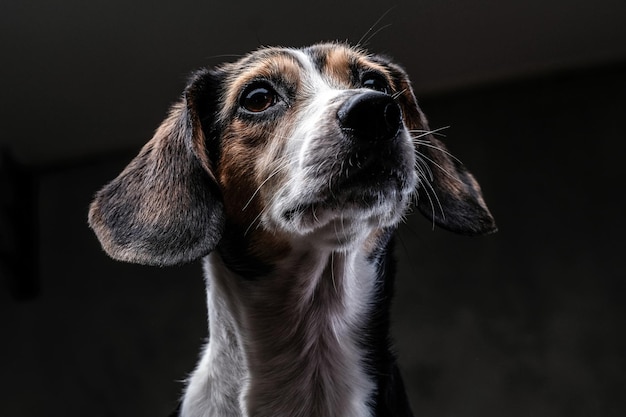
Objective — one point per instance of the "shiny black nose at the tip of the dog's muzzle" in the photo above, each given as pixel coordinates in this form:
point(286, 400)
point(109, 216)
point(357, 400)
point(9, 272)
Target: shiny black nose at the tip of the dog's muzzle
point(370, 116)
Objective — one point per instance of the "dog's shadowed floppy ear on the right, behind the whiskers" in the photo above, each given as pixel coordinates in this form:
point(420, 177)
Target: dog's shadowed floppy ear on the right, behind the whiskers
point(447, 192)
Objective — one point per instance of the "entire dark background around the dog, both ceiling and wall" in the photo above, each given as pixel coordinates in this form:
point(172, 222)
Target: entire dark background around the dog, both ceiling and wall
point(527, 322)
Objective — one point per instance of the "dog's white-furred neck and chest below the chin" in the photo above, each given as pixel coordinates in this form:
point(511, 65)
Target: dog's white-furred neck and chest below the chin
point(289, 343)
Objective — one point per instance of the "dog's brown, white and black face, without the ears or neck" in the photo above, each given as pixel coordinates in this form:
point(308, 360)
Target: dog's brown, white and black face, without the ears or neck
point(313, 142)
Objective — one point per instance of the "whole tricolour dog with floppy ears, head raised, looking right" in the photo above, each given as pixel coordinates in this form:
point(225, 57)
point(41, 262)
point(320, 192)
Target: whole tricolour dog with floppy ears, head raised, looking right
point(287, 172)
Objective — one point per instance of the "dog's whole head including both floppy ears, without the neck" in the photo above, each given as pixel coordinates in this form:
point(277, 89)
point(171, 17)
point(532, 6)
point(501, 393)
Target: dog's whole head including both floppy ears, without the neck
point(324, 144)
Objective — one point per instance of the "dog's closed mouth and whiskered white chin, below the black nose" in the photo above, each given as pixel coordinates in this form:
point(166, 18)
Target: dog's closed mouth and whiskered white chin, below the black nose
point(362, 187)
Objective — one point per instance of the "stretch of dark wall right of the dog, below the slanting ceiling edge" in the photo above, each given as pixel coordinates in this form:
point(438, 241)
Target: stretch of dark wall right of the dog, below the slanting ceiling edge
point(530, 321)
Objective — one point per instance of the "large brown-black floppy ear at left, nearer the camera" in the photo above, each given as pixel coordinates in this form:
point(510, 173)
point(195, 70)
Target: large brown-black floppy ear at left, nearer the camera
point(165, 207)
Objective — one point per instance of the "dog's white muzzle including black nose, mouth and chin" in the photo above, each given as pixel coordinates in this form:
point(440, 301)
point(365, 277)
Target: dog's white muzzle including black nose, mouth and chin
point(360, 166)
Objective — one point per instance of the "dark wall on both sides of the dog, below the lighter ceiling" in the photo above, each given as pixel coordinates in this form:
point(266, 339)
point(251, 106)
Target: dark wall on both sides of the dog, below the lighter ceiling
point(526, 322)
